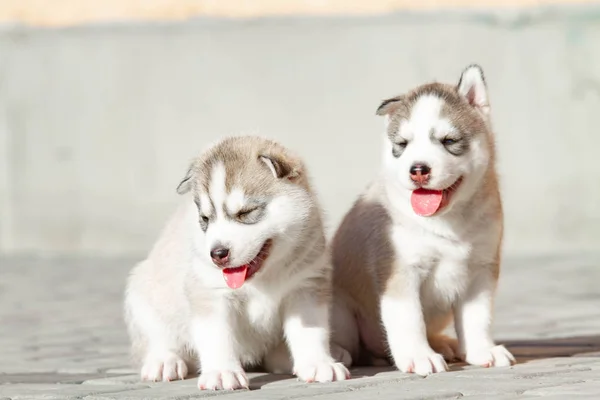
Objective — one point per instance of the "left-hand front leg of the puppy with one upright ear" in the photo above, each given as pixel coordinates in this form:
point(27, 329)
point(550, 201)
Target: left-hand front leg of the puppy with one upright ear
point(402, 317)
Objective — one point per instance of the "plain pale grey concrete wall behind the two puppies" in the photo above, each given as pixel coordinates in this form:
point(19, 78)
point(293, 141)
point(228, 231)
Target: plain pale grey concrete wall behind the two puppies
point(98, 123)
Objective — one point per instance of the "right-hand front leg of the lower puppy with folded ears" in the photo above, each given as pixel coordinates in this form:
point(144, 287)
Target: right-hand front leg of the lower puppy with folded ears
point(306, 327)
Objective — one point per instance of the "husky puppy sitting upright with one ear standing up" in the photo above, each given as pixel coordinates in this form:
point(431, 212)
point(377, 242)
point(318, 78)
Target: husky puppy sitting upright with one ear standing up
point(422, 245)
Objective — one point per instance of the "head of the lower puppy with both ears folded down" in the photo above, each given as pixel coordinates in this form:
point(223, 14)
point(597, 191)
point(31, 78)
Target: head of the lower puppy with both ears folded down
point(253, 200)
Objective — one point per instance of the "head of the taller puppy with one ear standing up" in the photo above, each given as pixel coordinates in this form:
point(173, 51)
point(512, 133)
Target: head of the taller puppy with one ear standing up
point(438, 144)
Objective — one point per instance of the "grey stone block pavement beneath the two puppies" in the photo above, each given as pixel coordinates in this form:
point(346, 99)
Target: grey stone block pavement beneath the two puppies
point(62, 337)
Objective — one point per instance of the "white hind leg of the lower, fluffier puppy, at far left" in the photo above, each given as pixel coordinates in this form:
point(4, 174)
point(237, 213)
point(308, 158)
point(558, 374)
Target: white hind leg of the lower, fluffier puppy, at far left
point(157, 341)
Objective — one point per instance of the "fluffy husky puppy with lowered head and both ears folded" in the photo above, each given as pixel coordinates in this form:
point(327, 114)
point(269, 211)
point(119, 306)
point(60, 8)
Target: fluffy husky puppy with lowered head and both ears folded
point(240, 266)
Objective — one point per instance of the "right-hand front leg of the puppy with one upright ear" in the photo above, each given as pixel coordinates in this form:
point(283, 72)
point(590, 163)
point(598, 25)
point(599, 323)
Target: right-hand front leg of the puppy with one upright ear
point(473, 323)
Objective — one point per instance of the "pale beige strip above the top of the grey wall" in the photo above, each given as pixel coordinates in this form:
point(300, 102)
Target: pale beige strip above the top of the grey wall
point(69, 12)
